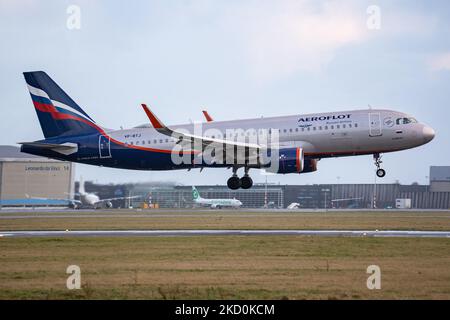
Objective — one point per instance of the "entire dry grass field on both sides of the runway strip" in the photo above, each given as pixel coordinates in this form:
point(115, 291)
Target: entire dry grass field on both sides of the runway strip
point(227, 267)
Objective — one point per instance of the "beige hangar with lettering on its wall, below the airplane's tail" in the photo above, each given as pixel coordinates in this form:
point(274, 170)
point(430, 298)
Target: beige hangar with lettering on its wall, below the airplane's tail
point(25, 177)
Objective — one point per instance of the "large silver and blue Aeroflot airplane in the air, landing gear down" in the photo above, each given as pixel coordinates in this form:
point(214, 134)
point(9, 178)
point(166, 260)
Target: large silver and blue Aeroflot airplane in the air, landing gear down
point(287, 144)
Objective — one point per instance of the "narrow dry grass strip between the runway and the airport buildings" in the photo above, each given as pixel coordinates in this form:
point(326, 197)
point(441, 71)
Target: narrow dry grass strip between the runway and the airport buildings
point(231, 220)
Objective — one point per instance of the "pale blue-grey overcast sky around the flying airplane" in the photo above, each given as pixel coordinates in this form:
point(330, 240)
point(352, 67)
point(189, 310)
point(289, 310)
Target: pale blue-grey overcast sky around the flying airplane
point(237, 59)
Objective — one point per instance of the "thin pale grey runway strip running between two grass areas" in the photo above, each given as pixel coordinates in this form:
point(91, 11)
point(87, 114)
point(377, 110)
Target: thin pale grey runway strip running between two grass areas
point(181, 233)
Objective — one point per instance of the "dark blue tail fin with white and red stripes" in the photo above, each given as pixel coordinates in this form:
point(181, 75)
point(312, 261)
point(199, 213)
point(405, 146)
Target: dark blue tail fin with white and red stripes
point(58, 114)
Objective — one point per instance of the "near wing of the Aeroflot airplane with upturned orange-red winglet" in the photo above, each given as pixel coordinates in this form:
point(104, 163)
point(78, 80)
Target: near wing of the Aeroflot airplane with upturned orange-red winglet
point(252, 150)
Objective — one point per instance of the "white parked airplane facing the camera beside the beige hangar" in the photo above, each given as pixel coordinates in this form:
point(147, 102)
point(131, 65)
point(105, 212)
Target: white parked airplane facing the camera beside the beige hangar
point(87, 199)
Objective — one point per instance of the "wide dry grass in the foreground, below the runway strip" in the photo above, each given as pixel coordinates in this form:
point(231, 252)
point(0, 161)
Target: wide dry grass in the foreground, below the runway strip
point(236, 267)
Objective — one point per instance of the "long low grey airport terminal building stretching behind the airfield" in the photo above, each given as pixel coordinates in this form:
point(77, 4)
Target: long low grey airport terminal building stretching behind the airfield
point(317, 196)
